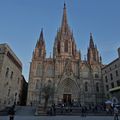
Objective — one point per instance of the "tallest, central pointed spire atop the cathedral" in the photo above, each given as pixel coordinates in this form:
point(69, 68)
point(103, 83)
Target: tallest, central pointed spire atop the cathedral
point(64, 26)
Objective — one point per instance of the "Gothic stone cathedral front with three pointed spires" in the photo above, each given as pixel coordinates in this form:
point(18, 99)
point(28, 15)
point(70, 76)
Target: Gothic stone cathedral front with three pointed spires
point(71, 78)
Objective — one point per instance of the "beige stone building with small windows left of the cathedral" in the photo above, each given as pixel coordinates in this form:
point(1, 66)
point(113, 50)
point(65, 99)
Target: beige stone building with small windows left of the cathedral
point(10, 76)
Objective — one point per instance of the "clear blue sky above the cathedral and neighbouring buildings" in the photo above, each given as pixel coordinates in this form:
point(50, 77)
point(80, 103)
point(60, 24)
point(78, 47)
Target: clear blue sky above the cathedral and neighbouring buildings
point(21, 22)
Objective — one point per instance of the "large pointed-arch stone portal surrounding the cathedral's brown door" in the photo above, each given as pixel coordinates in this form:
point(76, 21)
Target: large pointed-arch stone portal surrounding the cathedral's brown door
point(67, 91)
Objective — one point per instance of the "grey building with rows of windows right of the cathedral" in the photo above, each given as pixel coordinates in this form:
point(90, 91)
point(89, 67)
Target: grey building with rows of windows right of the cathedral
point(111, 78)
